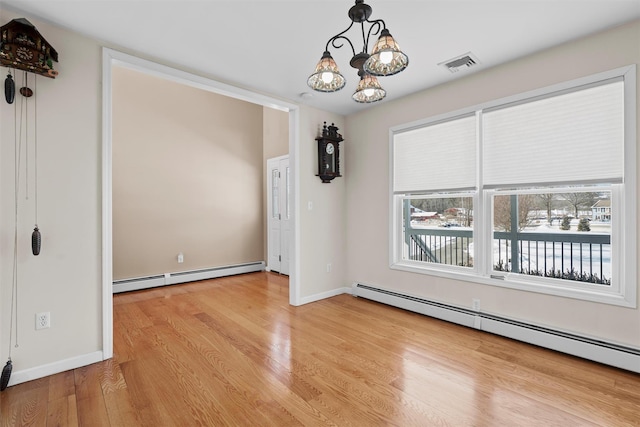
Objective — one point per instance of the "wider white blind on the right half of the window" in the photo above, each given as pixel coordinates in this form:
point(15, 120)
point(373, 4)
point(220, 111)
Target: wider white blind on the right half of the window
point(576, 136)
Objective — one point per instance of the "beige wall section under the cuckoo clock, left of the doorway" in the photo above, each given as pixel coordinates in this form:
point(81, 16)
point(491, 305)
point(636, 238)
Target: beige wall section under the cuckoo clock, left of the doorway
point(65, 279)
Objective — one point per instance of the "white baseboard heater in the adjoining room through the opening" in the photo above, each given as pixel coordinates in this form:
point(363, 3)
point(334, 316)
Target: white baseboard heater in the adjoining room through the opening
point(184, 277)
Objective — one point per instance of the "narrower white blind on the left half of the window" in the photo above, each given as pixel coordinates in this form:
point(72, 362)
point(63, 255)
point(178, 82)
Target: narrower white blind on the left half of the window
point(441, 156)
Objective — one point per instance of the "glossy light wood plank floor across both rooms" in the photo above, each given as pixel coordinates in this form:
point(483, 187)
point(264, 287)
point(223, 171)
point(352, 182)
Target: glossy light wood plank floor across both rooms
point(232, 351)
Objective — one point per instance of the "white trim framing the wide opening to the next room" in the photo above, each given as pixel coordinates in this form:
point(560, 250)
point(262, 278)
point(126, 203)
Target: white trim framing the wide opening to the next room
point(112, 58)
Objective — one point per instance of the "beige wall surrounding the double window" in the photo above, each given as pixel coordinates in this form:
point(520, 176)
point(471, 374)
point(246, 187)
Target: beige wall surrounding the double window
point(368, 186)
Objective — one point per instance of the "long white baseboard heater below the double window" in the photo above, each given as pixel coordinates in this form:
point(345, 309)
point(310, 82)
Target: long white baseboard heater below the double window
point(587, 348)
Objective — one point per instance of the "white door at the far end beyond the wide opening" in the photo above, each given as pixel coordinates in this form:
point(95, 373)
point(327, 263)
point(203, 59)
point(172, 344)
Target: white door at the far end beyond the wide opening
point(278, 214)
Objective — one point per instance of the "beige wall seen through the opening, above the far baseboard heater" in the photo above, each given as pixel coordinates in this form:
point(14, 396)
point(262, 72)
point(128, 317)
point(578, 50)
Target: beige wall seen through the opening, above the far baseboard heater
point(187, 177)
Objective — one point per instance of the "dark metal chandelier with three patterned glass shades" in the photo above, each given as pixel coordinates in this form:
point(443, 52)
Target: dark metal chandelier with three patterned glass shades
point(385, 59)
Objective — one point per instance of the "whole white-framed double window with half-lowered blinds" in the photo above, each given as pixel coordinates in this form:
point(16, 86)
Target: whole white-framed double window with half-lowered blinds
point(534, 192)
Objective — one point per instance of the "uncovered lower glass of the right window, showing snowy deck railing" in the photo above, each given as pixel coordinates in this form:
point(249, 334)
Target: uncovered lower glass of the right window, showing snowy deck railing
point(551, 235)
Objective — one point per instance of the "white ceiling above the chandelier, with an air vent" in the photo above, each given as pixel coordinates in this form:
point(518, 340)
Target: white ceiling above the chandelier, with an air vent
point(271, 47)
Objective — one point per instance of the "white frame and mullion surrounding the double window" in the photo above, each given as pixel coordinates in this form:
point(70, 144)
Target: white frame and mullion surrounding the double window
point(623, 290)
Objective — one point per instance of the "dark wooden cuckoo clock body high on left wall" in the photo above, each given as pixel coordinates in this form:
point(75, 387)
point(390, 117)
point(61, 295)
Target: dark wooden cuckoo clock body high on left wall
point(23, 48)
